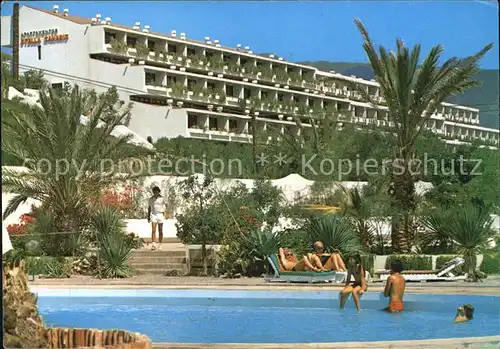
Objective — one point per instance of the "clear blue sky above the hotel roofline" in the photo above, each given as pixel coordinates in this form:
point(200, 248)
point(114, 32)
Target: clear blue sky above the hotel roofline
point(301, 31)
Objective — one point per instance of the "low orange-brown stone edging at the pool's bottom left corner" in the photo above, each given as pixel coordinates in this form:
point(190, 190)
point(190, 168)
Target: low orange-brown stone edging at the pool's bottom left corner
point(96, 339)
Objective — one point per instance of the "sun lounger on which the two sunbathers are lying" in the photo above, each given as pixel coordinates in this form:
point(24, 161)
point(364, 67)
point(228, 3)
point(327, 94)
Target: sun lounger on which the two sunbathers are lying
point(279, 275)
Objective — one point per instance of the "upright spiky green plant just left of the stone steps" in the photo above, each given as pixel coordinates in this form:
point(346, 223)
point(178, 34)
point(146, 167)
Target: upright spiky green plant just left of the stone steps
point(114, 252)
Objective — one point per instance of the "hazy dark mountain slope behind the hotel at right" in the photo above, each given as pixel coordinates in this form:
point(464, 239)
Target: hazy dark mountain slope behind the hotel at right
point(485, 98)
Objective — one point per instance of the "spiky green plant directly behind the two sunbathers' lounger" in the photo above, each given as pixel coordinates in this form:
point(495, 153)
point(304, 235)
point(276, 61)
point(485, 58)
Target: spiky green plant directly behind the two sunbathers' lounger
point(334, 231)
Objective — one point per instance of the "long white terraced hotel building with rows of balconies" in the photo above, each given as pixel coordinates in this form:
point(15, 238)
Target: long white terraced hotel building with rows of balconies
point(201, 89)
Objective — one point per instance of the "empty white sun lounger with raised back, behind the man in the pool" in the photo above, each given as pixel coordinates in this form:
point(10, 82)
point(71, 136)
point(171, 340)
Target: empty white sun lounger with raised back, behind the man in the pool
point(442, 274)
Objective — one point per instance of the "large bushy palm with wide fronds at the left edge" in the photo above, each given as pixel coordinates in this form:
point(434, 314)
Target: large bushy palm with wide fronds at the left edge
point(68, 163)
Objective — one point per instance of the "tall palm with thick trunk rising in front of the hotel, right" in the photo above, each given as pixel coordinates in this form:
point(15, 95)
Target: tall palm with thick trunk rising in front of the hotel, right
point(413, 93)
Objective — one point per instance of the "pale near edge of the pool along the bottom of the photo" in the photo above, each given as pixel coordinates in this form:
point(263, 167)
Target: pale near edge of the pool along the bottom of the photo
point(424, 343)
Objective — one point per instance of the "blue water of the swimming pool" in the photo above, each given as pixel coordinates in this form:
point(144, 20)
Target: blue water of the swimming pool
point(206, 316)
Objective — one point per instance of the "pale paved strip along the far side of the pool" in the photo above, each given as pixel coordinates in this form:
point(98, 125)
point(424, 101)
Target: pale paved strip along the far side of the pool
point(490, 286)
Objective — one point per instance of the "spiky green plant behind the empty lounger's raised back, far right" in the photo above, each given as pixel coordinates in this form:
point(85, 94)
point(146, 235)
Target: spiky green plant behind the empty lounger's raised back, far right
point(468, 228)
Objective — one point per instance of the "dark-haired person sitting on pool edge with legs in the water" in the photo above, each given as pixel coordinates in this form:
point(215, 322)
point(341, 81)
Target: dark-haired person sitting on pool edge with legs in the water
point(357, 287)
